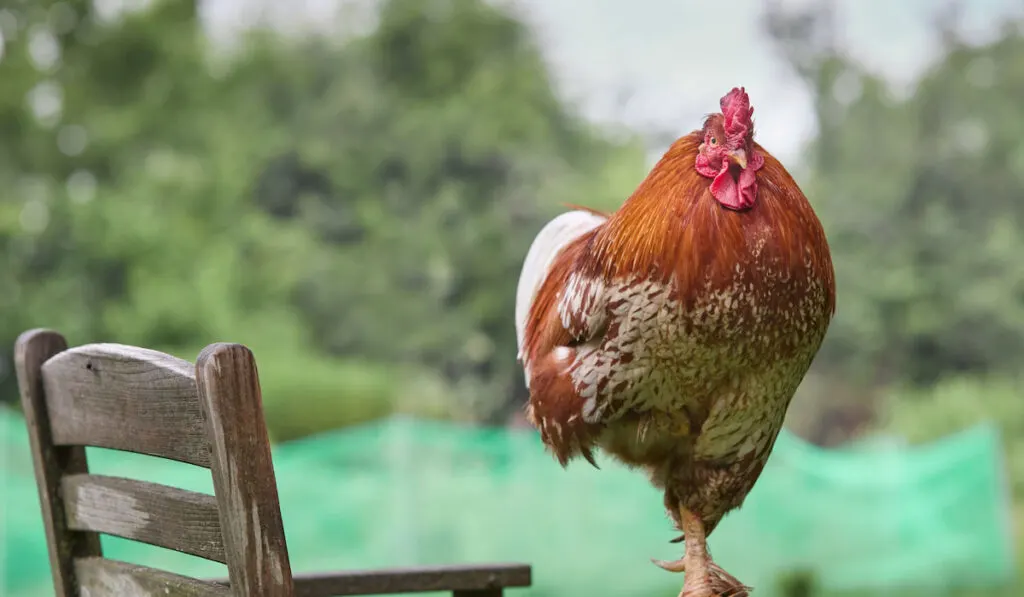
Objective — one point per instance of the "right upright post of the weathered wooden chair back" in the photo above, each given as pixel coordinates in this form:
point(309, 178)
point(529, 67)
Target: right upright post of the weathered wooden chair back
point(243, 473)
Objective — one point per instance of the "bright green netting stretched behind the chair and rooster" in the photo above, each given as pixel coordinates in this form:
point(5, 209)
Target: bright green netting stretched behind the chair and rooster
point(417, 493)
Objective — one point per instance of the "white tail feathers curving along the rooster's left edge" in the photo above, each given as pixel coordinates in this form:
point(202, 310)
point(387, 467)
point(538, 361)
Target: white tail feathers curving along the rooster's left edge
point(548, 243)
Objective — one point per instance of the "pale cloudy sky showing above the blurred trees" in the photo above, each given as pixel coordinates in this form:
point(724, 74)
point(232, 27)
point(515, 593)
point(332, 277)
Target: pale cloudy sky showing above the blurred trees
point(672, 60)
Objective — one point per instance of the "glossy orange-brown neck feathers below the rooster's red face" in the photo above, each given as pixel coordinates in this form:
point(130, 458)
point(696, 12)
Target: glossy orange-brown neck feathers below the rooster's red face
point(673, 227)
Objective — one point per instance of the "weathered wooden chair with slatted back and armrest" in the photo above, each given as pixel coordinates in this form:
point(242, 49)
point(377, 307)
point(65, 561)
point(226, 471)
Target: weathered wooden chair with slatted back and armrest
point(209, 415)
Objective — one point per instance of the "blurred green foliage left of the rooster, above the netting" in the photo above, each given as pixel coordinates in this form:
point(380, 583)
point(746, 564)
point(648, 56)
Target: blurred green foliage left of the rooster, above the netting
point(356, 211)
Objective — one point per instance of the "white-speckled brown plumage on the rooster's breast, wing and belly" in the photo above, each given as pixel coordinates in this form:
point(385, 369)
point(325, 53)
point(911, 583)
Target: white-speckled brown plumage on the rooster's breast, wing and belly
point(697, 395)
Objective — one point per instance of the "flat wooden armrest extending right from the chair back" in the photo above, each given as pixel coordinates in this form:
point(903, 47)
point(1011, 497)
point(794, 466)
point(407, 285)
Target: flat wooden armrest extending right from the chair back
point(468, 581)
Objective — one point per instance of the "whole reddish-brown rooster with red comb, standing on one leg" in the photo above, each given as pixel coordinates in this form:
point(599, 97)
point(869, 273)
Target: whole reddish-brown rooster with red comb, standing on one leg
point(673, 333)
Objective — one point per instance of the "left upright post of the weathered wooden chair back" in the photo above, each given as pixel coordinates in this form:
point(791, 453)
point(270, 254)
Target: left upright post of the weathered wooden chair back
point(52, 463)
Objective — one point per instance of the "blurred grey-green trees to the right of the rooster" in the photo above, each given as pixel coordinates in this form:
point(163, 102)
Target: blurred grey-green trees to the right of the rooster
point(919, 197)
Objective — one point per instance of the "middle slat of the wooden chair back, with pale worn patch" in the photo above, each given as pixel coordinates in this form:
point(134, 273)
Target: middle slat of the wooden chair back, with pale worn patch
point(179, 520)
